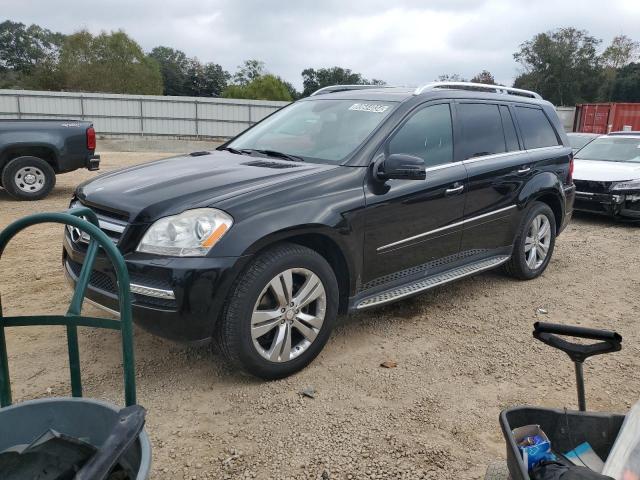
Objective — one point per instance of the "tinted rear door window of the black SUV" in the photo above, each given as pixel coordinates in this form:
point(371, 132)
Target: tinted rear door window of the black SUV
point(481, 129)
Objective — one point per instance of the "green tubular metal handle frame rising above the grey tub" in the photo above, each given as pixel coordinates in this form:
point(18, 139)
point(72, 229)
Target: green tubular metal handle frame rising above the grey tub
point(87, 221)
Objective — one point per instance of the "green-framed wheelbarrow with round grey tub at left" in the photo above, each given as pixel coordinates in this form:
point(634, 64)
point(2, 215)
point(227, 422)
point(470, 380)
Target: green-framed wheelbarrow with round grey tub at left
point(74, 438)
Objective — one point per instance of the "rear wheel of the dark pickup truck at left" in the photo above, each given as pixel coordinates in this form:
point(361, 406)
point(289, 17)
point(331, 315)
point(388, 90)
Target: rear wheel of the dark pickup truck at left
point(28, 178)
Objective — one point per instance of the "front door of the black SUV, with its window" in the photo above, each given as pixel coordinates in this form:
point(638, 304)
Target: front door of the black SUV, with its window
point(411, 224)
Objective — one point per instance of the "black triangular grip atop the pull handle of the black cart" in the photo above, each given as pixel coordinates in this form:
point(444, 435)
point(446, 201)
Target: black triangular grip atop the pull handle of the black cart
point(548, 334)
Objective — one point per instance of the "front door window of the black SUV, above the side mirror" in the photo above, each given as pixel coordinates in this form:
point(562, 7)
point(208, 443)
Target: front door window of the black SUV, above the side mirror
point(427, 134)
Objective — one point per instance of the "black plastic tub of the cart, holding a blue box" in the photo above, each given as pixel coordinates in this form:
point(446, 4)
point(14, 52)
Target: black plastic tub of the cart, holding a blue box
point(565, 428)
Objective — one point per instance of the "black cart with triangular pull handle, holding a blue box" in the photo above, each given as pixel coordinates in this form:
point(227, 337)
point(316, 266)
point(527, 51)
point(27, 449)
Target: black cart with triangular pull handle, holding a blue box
point(566, 429)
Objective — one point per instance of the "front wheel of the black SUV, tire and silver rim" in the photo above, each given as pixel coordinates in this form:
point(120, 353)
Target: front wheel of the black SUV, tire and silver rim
point(255, 325)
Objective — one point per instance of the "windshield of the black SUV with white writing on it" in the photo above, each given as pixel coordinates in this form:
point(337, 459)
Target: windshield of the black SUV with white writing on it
point(326, 131)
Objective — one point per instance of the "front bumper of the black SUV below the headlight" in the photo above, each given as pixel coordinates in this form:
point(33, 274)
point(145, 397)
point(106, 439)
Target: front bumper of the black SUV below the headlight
point(199, 287)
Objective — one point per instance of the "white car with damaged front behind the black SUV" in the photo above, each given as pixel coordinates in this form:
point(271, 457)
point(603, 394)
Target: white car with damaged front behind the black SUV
point(607, 176)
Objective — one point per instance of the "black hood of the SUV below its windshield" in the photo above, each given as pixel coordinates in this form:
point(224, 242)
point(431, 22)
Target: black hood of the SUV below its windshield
point(144, 193)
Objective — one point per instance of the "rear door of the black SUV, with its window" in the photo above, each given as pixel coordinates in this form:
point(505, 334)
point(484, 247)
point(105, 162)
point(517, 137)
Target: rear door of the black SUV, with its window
point(497, 168)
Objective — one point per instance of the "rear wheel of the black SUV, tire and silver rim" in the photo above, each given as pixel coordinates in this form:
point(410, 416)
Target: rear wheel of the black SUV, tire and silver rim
point(521, 265)
